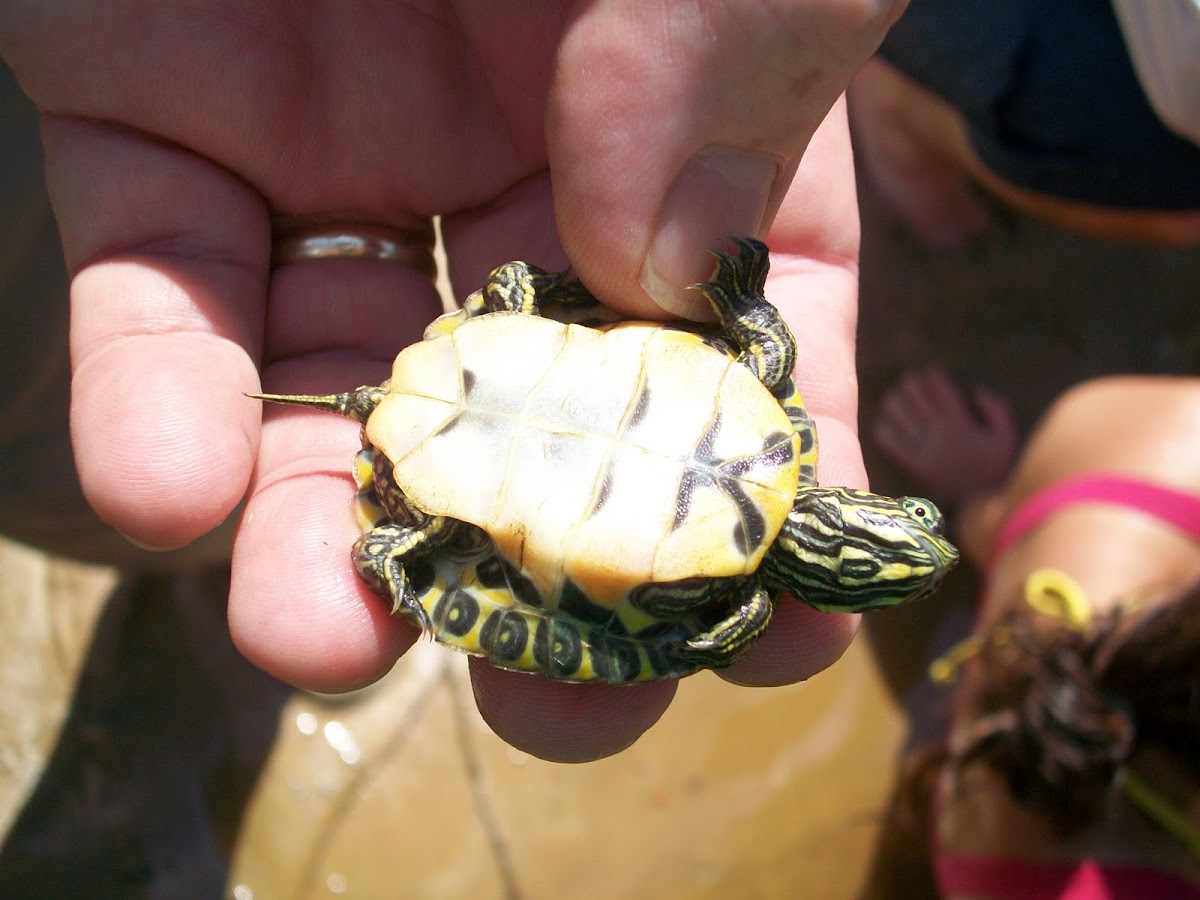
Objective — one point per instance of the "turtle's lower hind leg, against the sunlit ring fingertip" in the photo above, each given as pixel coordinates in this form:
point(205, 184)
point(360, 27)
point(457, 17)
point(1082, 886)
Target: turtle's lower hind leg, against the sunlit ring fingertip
point(382, 553)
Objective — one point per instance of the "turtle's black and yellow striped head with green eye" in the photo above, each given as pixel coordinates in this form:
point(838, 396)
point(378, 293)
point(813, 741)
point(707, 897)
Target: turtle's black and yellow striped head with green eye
point(851, 551)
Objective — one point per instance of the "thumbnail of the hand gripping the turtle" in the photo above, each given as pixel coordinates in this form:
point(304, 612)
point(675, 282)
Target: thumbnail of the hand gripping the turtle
point(722, 194)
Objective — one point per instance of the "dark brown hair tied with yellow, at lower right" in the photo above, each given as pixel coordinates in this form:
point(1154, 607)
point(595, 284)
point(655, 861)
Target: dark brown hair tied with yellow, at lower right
point(1057, 711)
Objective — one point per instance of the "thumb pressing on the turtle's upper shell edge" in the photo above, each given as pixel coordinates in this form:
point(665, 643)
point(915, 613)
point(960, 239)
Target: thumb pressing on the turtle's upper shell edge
point(674, 127)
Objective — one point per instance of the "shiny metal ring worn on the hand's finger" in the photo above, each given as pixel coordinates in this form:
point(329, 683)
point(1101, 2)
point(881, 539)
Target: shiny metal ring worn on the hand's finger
point(353, 242)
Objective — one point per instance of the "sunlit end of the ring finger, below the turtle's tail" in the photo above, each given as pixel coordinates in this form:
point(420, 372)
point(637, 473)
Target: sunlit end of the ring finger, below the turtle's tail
point(297, 607)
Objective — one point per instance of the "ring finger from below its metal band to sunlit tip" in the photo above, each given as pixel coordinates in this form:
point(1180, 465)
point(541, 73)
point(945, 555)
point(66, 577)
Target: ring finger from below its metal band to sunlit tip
point(297, 607)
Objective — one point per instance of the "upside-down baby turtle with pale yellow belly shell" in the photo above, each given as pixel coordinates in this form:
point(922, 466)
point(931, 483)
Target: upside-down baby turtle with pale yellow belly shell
point(614, 502)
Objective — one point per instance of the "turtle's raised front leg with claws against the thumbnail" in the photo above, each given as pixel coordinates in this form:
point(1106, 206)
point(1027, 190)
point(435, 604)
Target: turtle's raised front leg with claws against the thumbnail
point(752, 325)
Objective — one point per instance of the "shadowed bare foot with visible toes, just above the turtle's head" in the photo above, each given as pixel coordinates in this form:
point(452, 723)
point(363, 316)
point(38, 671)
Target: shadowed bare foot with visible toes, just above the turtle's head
point(956, 447)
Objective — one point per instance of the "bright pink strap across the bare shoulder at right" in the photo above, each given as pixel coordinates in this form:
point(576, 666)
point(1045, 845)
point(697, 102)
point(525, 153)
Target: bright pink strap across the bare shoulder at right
point(1167, 505)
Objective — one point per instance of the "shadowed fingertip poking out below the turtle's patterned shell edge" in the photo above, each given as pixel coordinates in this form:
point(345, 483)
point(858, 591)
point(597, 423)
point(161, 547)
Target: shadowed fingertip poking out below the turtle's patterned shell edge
point(567, 723)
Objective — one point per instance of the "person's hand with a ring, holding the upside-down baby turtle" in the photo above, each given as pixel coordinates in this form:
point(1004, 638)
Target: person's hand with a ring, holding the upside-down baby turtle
point(188, 137)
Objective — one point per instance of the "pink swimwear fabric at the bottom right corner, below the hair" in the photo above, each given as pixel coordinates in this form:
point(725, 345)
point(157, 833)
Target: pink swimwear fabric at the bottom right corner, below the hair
point(1087, 880)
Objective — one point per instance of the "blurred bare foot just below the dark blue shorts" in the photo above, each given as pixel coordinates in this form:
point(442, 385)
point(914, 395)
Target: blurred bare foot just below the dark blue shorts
point(910, 142)
